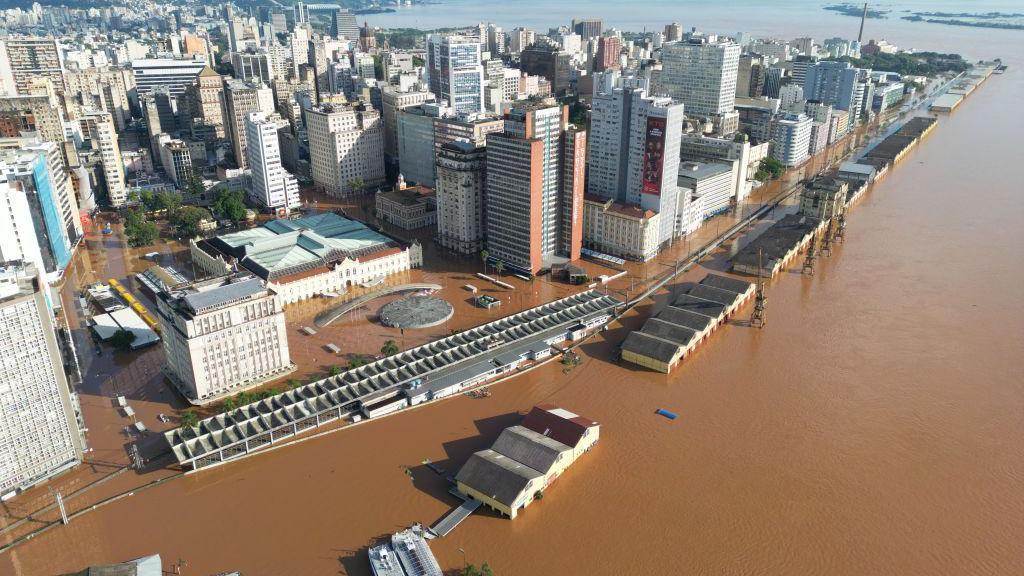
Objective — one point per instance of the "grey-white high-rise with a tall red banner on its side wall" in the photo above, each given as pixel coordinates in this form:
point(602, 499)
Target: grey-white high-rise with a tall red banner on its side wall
point(634, 150)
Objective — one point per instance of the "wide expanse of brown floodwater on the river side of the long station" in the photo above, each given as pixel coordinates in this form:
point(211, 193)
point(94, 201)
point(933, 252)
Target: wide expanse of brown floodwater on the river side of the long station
point(875, 427)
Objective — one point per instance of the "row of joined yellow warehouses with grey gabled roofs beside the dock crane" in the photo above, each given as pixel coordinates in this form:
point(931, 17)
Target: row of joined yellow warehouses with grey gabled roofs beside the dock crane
point(668, 338)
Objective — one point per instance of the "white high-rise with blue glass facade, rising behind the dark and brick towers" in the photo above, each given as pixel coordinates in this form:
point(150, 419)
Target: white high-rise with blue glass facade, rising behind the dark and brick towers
point(456, 73)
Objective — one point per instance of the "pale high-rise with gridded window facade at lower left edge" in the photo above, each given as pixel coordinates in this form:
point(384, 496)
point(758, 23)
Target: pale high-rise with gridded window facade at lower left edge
point(40, 433)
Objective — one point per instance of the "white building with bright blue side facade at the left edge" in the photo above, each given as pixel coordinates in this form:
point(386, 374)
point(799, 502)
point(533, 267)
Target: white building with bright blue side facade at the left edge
point(39, 216)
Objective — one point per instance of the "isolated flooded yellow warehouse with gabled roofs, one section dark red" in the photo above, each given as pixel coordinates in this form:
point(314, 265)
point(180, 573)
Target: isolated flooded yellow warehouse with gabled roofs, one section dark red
point(527, 459)
